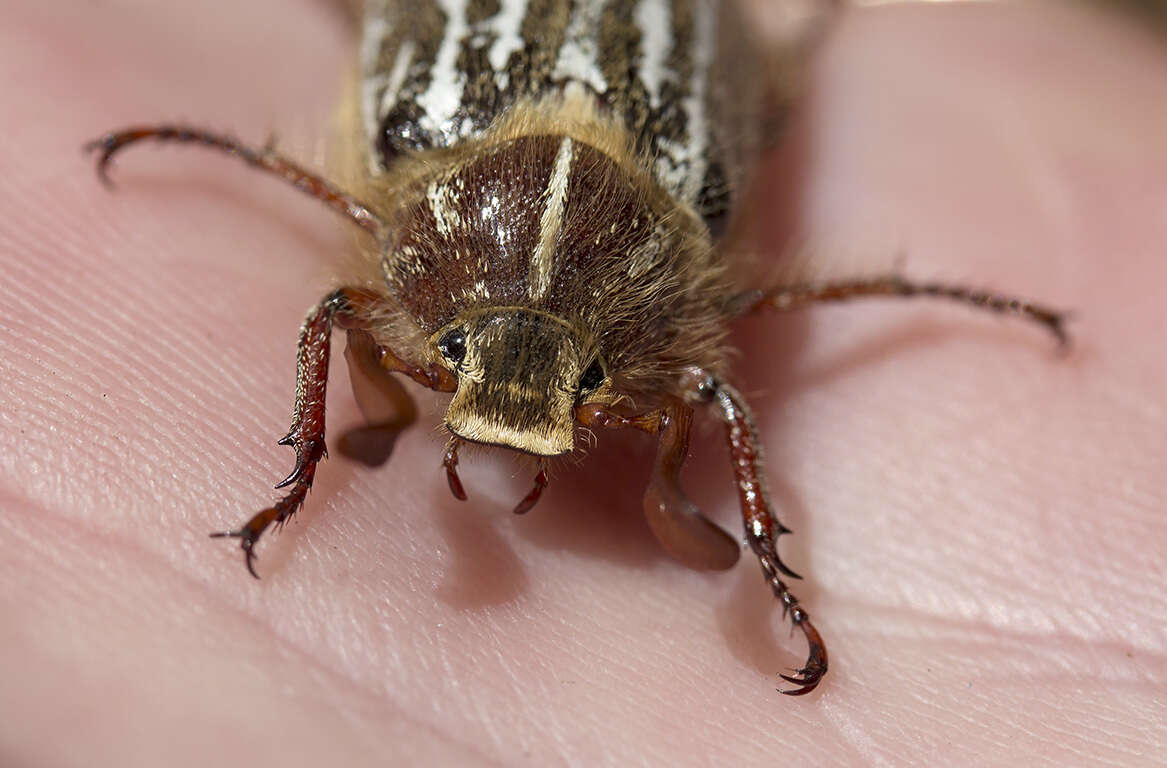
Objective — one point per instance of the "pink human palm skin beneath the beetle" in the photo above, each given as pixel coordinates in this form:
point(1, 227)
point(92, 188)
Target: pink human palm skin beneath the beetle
point(981, 521)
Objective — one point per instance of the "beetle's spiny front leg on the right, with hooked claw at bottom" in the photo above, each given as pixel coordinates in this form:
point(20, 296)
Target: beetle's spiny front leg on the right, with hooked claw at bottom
point(763, 527)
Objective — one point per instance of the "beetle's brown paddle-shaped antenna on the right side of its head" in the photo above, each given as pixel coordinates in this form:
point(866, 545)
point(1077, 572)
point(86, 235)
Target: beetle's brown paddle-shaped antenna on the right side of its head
point(681, 528)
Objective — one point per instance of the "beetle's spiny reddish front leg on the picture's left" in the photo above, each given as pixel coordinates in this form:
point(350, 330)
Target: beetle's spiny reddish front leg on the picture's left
point(308, 432)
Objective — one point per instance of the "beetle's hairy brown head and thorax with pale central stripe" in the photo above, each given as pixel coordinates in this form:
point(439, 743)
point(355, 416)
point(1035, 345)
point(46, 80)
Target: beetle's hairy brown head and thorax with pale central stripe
point(549, 257)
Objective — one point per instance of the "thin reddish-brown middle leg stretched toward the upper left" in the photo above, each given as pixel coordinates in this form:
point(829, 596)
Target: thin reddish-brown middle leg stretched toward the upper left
point(264, 159)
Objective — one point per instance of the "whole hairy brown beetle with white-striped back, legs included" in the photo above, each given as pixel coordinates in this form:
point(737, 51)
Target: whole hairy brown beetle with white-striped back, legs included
point(543, 184)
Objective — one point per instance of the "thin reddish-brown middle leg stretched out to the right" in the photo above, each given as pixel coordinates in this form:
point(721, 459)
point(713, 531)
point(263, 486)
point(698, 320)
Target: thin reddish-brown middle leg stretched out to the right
point(896, 287)
